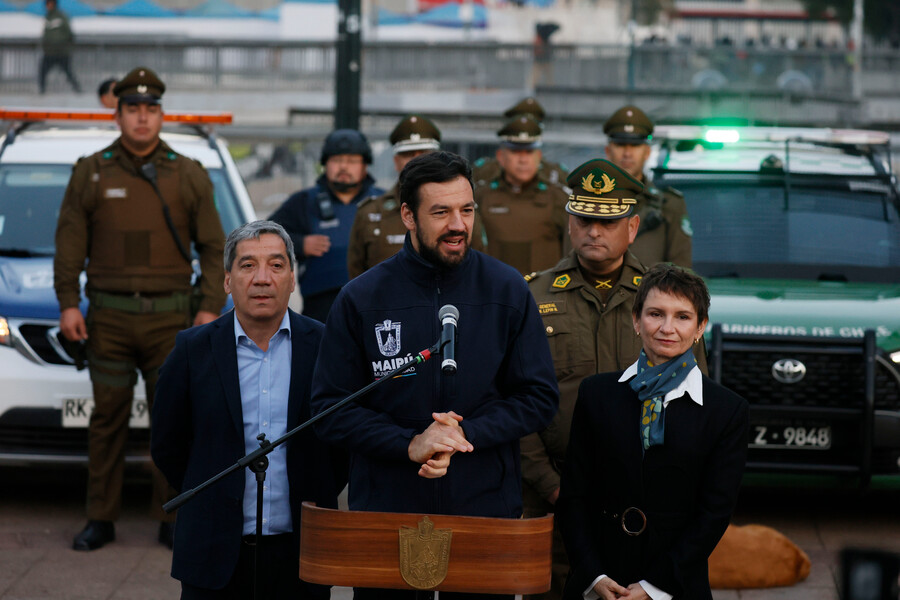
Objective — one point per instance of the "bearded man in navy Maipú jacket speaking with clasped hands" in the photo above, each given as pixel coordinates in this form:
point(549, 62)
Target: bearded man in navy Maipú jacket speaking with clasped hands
point(430, 441)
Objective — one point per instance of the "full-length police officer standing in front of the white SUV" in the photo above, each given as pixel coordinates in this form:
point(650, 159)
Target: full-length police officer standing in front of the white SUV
point(138, 281)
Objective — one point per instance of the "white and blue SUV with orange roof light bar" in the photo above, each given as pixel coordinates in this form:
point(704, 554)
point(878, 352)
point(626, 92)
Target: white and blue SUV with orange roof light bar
point(44, 401)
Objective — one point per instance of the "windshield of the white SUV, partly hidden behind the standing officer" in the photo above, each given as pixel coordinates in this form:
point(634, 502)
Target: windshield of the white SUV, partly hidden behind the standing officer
point(30, 197)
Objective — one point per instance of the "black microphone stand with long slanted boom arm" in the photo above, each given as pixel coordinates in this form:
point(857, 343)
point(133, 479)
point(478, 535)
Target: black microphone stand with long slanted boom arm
point(257, 461)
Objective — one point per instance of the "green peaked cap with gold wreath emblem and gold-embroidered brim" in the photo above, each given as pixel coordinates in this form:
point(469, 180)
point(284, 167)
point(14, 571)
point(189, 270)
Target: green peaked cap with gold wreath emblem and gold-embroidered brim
point(601, 190)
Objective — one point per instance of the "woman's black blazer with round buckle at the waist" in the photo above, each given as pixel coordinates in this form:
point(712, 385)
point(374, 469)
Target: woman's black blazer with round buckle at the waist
point(686, 487)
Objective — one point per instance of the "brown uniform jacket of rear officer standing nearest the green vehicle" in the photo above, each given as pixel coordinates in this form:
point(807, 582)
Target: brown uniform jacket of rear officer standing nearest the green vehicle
point(665, 231)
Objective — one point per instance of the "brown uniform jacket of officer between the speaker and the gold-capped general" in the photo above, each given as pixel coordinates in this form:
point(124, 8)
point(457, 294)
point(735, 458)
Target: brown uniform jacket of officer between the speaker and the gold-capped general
point(526, 227)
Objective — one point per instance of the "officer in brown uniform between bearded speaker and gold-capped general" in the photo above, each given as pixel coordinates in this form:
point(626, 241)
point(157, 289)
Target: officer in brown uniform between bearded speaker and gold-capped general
point(523, 214)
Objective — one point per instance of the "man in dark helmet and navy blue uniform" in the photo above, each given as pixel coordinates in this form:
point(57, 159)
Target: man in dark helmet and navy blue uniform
point(319, 218)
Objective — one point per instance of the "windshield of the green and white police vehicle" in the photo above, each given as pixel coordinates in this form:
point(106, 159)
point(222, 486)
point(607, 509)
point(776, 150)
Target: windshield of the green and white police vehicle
point(814, 232)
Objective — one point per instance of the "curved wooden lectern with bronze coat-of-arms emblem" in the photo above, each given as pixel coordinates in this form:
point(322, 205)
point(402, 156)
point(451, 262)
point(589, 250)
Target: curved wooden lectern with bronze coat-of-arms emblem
point(426, 552)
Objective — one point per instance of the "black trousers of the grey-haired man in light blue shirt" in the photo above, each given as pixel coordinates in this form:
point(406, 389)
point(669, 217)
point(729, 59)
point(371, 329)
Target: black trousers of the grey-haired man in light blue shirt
point(279, 567)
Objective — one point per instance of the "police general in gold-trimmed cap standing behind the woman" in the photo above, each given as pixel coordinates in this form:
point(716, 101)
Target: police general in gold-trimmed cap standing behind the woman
point(585, 301)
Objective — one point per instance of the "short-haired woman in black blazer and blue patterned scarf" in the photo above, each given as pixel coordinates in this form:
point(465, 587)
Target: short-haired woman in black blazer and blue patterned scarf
point(655, 459)
